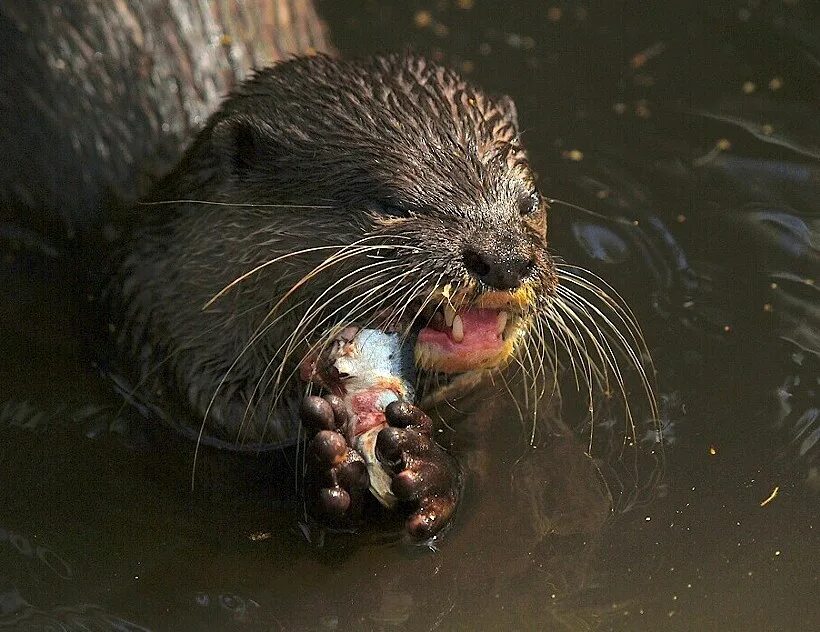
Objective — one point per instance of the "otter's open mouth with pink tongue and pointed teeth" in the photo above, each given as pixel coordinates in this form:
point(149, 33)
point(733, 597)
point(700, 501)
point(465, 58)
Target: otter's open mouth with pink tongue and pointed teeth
point(460, 336)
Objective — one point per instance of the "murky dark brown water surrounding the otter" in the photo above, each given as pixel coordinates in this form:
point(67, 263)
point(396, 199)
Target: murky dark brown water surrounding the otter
point(698, 139)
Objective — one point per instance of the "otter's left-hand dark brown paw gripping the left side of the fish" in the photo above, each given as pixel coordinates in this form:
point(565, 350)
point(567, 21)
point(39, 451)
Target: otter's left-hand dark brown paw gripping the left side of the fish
point(336, 473)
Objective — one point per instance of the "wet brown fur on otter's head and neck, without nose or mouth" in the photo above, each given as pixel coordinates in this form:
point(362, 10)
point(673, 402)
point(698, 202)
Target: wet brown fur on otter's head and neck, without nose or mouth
point(397, 154)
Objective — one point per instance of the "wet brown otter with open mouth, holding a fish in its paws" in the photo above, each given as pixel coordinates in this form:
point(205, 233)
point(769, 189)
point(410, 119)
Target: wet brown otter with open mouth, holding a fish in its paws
point(387, 192)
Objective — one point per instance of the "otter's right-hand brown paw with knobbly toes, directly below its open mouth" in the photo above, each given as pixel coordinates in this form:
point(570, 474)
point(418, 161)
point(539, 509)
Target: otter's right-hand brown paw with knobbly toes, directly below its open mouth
point(423, 474)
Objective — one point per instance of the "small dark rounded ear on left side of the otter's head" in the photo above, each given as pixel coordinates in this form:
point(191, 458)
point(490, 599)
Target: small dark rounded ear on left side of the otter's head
point(242, 142)
